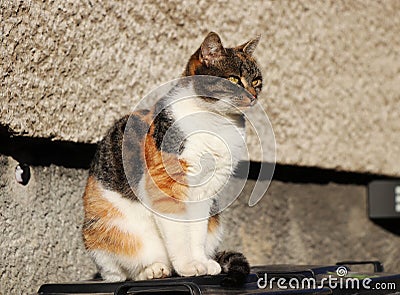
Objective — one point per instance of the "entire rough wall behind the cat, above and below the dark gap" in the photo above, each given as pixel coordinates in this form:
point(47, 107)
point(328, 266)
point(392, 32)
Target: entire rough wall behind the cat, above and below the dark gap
point(332, 73)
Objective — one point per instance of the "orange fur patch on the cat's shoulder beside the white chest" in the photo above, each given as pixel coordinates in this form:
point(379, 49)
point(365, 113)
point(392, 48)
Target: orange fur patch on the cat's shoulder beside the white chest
point(166, 179)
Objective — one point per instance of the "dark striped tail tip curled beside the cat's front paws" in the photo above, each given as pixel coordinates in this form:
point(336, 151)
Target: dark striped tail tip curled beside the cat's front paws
point(235, 265)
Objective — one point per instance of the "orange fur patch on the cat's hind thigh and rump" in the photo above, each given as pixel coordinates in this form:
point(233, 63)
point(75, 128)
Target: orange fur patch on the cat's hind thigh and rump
point(98, 233)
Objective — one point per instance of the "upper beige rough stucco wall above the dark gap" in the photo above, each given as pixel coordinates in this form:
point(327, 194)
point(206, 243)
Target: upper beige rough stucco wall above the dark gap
point(331, 69)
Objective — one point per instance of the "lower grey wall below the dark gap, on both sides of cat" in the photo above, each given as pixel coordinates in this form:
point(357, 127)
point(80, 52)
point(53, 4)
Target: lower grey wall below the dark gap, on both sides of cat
point(294, 223)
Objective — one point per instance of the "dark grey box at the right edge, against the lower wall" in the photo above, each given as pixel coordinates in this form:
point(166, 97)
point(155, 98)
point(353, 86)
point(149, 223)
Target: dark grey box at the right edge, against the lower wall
point(384, 204)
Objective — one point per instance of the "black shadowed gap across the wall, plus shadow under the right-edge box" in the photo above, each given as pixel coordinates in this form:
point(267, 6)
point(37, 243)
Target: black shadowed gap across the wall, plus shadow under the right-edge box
point(44, 152)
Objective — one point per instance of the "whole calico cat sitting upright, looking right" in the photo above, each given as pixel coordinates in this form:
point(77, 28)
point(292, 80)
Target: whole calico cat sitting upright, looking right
point(128, 240)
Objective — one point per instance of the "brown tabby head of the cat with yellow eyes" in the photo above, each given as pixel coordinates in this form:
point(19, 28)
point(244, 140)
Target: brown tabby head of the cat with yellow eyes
point(234, 64)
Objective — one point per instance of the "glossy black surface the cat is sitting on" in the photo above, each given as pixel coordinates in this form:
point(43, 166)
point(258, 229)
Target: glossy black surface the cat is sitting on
point(273, 279)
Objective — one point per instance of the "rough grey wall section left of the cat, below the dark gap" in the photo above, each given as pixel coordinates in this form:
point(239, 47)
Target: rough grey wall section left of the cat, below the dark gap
point(40, 225)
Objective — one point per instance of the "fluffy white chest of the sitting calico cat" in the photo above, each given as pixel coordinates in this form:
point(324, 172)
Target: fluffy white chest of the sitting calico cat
point(213, 146)
